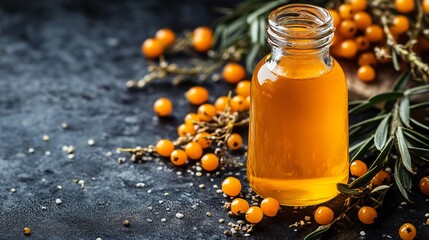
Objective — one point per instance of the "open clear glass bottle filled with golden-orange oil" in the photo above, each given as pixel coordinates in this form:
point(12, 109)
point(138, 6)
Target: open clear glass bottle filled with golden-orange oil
point(298, 135)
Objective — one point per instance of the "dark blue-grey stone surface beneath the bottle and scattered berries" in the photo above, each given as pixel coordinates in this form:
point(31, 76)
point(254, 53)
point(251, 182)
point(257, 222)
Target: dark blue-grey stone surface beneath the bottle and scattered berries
point(68, 61)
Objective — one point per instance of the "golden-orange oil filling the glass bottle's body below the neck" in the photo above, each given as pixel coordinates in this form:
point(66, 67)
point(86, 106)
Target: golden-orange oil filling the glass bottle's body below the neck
point(298, 137)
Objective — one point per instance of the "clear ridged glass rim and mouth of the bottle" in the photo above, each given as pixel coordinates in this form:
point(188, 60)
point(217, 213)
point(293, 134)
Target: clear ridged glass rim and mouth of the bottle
point(300, 26)
